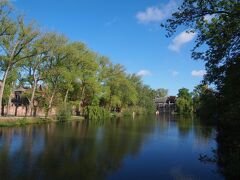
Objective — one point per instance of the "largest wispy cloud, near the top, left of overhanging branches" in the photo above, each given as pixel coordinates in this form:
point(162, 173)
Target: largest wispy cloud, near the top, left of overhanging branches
point(156, 14)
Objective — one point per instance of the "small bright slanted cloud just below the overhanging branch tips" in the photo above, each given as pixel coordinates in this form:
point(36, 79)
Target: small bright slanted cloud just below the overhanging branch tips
point(181, 39)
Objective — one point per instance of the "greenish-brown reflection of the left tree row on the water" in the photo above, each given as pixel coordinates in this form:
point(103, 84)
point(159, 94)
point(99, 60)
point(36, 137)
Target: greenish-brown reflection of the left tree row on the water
point(77, 149)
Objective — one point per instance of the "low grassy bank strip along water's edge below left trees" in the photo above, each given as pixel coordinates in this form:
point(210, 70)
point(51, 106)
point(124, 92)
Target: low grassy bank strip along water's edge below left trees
point(23, 121)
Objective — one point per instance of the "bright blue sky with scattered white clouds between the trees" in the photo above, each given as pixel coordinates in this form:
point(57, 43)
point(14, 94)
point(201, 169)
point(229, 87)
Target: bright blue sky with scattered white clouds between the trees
point(126, 31)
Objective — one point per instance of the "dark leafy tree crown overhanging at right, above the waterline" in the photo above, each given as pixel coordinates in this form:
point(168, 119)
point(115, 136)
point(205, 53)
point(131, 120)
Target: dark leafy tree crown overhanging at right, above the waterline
point(216, 24)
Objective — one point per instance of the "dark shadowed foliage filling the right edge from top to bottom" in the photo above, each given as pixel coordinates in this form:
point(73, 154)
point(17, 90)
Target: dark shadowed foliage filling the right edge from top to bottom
point(216, 24)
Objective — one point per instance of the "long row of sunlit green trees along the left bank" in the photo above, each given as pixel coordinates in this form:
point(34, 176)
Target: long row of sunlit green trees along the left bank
point(55, 72)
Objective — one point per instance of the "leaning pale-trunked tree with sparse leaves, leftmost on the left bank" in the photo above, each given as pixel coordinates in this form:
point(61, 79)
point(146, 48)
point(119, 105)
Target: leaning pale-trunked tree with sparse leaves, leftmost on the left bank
point(21, 36)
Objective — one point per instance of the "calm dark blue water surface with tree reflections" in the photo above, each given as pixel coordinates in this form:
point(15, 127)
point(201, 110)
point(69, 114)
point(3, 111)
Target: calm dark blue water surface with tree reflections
point(144, 148)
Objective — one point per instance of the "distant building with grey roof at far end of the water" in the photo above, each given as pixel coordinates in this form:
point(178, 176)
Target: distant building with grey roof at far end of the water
point(165, 104)
